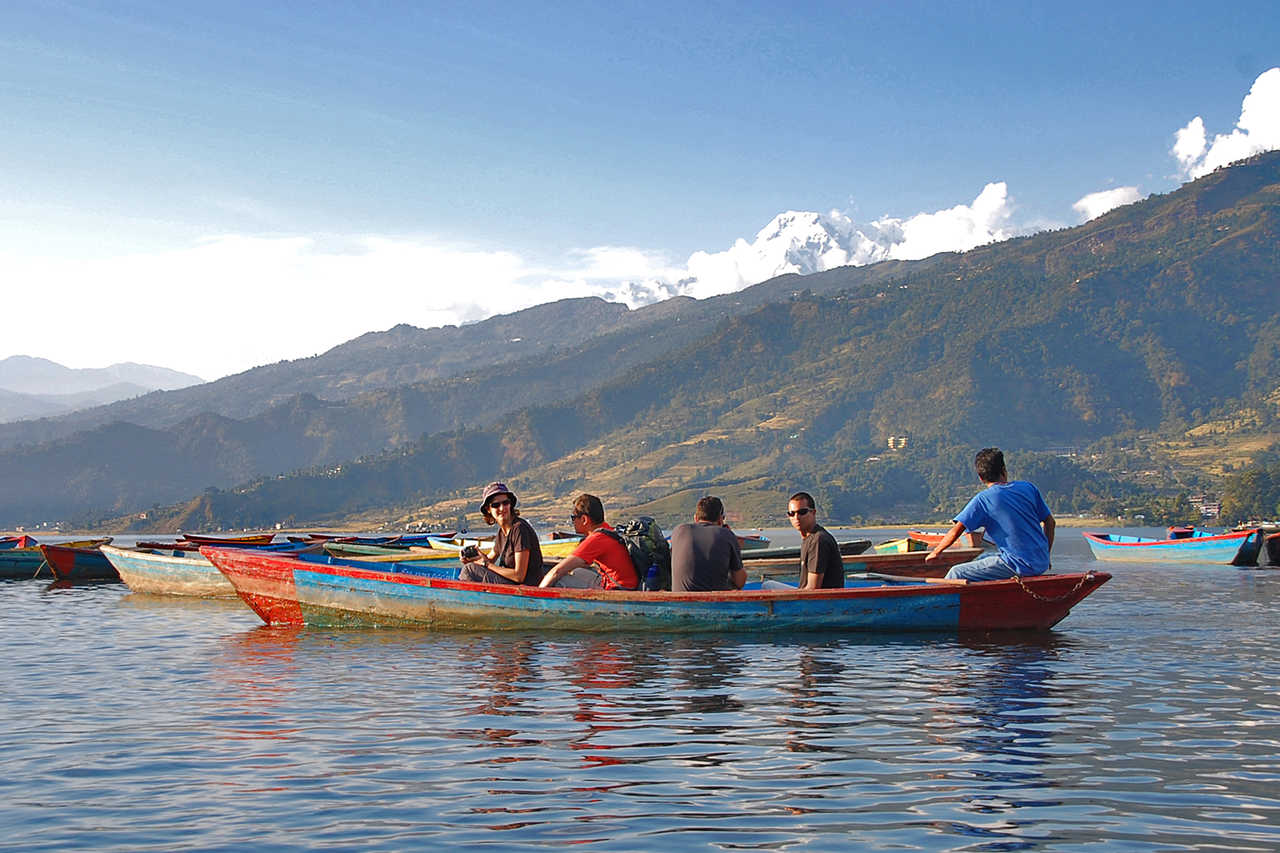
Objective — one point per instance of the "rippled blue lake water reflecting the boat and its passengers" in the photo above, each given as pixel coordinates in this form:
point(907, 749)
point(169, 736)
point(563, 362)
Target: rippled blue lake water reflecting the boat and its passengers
point(1150, 719)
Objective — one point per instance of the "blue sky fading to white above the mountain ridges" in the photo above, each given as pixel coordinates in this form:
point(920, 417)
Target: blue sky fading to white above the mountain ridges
point(368, 165)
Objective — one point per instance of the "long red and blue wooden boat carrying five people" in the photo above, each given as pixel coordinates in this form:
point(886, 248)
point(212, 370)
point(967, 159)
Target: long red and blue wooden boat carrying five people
point(290, 591)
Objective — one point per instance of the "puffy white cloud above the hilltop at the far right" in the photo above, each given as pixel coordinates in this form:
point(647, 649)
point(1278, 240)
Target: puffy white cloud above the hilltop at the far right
point(1256, 131)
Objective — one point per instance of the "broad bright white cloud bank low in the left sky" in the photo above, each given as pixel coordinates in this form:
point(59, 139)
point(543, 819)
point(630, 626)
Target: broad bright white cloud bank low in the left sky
point(232, 303)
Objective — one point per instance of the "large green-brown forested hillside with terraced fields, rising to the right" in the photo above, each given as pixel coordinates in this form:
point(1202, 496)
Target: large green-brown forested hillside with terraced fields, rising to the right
point(1149, 321)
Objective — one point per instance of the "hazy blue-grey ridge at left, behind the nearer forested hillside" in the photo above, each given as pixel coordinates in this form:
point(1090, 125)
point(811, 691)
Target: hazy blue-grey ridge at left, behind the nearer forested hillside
point(132, 455)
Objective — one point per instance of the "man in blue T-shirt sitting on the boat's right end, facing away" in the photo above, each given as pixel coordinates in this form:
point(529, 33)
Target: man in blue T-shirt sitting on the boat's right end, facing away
point(1016, 518)
